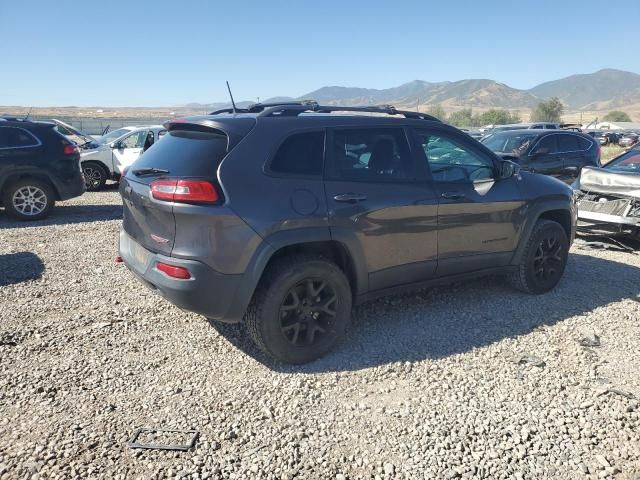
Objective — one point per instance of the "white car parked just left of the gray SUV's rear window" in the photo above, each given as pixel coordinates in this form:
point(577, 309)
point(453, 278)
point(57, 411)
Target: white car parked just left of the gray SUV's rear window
point(115, 152)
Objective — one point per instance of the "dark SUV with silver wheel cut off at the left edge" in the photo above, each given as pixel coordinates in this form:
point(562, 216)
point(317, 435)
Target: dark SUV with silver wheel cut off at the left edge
point(38, 166)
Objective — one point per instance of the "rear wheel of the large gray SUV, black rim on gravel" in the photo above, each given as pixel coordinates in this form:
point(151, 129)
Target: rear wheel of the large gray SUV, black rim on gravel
point(300, 310)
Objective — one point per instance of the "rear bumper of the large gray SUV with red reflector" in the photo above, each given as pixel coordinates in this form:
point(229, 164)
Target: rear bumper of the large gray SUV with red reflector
point(207, 292)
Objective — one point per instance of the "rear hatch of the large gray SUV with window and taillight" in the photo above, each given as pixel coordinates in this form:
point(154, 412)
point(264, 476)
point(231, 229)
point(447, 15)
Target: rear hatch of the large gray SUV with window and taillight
point(190, 153)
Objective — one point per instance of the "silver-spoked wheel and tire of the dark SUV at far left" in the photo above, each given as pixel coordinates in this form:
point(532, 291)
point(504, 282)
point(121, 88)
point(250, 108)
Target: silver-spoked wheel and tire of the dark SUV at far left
point(29, 199)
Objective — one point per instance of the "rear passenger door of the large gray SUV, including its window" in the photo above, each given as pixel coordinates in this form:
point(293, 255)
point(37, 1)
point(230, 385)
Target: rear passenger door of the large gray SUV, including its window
point(381, 205)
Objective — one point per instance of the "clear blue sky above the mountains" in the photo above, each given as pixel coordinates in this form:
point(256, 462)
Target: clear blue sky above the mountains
point(160, 53)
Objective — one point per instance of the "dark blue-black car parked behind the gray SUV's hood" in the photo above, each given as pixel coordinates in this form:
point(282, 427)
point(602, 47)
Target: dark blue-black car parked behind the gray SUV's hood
point(558, 153)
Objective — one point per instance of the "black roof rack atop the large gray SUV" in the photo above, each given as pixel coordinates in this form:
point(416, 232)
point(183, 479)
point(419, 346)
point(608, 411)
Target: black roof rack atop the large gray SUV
point(289, 109)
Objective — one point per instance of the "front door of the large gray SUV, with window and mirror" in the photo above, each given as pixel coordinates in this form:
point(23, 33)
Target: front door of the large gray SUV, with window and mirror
point(478, 214)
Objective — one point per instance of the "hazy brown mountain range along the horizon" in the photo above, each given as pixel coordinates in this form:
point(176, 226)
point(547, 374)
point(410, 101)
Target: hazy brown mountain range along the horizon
point(601, 90)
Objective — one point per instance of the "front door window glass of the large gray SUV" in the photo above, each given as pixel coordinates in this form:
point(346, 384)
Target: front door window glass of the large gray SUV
point(452, 161)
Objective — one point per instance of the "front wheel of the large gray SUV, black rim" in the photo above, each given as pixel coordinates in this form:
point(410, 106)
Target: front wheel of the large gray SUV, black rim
point(543, 260)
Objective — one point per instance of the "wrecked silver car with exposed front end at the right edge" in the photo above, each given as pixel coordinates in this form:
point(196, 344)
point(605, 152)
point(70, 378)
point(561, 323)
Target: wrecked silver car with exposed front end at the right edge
point(609, 197)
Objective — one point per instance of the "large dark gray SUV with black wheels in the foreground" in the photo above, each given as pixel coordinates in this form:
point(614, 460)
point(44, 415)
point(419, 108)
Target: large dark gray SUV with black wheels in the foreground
point(284, 216)
